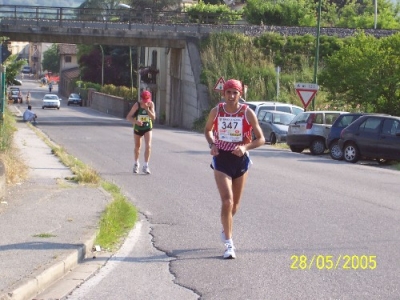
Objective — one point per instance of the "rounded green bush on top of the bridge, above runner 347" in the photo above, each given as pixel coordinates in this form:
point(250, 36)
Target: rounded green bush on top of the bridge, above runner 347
point(212, 14)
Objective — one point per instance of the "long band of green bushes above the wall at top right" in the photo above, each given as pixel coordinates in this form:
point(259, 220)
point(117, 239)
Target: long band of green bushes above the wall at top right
point(352, 14)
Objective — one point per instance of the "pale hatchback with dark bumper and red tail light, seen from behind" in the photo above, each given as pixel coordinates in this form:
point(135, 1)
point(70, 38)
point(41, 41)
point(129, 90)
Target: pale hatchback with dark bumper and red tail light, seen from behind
point(309, 130)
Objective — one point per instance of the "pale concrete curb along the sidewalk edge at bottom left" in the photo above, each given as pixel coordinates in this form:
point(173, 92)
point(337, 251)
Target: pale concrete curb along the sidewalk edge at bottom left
point(34, 286)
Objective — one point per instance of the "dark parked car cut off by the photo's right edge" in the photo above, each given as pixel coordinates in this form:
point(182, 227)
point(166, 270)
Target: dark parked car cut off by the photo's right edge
point(372, 137)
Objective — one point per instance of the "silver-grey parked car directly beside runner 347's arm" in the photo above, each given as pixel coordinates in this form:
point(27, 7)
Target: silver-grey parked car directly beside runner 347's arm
point(274, 125)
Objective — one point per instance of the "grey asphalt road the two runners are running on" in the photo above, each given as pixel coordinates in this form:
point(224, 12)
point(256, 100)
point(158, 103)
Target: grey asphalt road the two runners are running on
point(308, 228)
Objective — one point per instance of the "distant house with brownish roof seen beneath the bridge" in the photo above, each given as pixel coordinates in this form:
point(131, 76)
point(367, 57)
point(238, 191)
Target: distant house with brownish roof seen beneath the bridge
point(69, 67)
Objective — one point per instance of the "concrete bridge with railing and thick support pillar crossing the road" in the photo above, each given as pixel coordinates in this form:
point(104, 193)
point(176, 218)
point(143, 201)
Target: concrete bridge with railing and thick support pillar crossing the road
point(171, 40)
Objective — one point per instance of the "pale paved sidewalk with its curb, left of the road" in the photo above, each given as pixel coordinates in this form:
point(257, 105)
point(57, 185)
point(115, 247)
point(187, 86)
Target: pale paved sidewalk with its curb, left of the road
point(47, 224)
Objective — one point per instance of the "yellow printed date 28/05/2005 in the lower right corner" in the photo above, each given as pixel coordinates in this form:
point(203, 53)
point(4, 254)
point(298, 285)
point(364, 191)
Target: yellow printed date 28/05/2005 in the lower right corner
point(331, 262)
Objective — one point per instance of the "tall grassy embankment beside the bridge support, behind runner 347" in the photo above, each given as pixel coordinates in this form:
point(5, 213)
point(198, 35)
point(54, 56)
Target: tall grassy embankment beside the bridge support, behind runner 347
point(237, 56)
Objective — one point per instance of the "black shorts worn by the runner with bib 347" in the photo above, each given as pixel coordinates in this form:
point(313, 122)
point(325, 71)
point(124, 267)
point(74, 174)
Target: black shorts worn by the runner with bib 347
point(230, 164)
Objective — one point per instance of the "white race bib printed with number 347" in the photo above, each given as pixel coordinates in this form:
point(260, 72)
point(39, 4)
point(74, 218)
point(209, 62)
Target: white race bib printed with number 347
point(230, 129)
